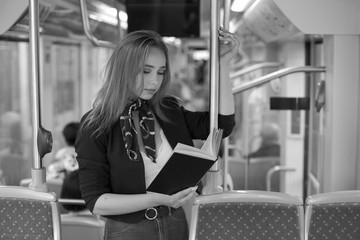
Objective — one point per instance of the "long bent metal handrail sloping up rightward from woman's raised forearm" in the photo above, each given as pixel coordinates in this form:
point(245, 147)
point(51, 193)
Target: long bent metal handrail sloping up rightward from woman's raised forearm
point(277, 74)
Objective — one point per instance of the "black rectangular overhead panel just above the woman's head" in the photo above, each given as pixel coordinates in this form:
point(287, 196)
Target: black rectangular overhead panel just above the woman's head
point(176, 18)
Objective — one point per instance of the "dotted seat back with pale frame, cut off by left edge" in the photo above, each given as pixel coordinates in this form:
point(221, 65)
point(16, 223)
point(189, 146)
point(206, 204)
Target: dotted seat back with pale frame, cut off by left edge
point(28, 214)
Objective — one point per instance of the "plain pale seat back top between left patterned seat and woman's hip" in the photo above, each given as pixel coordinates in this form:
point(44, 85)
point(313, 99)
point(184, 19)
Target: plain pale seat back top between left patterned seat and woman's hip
point(81, 227)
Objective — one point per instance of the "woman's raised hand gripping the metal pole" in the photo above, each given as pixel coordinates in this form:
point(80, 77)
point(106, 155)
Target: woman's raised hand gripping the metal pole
point(229, 45)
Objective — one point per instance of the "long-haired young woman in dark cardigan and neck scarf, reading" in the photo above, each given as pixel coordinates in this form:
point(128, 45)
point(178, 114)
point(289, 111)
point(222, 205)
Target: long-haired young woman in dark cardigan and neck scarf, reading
point(127, 137)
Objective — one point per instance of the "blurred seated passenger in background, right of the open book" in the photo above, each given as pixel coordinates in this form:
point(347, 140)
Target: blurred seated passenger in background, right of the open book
point(270, 146)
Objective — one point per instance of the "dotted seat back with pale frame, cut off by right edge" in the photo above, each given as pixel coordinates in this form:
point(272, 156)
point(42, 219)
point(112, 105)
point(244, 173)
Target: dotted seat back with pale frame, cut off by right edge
point(333, 215)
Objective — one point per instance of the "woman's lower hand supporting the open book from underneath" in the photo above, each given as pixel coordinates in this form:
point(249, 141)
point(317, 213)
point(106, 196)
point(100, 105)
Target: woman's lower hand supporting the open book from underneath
point(177, 199)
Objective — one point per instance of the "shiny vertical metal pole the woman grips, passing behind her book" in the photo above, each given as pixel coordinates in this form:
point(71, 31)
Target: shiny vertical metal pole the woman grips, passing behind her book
point(213, 178)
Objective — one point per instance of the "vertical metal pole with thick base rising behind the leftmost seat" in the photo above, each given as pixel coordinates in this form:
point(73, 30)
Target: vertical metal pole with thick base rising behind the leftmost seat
point(37, 172)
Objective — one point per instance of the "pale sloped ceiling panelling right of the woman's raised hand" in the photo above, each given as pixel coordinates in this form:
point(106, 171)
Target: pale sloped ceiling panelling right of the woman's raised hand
point(279, 20)
